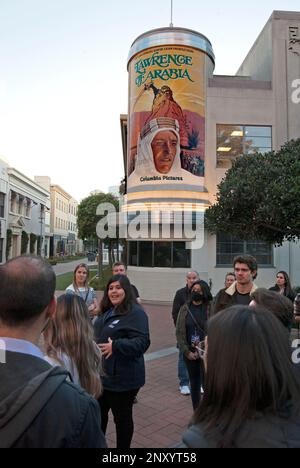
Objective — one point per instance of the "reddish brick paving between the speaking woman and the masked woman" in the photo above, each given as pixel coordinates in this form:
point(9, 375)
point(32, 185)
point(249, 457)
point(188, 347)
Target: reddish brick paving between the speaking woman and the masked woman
point(162, 413)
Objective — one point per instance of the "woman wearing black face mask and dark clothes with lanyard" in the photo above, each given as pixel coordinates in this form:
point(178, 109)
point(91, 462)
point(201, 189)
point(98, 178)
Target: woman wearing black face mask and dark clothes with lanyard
point(190, 332)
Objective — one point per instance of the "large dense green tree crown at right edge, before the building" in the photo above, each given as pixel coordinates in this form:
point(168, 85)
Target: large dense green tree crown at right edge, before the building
point(260, 197)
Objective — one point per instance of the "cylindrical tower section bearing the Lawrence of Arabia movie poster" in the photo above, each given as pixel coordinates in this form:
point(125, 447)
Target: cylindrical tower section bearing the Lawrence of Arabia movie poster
point(168, 73)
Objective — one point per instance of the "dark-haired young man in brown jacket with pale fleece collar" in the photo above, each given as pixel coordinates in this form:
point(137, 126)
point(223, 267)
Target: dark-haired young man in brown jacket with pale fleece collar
point(239, 293)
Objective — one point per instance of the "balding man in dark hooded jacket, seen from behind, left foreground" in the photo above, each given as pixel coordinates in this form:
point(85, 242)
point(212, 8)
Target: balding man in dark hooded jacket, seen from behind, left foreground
point(38, 407)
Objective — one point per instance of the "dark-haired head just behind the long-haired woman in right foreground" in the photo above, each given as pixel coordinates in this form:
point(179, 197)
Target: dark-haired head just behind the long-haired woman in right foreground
point(279, 305)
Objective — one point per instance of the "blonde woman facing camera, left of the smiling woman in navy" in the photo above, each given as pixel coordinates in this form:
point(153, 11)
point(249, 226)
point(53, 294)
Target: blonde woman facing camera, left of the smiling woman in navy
point(80, 287)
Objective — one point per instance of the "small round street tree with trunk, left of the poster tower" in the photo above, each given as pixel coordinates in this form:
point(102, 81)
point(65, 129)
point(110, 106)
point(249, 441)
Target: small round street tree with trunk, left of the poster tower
point(87, 220)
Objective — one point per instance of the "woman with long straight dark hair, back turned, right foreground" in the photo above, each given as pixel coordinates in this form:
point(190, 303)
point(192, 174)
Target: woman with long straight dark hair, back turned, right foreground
point(252, 390)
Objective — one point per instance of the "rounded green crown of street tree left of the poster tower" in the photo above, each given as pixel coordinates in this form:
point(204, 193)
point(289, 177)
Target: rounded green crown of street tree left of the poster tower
point(87, 218)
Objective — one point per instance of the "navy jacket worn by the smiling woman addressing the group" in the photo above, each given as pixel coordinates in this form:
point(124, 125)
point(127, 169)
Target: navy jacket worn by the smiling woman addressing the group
point(125, 369)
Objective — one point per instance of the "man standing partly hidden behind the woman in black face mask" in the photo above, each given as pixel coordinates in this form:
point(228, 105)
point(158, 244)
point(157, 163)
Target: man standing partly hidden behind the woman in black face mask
point(181, 297)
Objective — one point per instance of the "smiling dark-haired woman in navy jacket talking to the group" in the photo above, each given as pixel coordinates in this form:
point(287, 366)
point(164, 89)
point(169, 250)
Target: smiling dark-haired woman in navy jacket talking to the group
point(122, 334)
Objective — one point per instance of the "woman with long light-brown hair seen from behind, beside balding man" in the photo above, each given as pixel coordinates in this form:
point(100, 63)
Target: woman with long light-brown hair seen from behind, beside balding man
point(69, 342)
